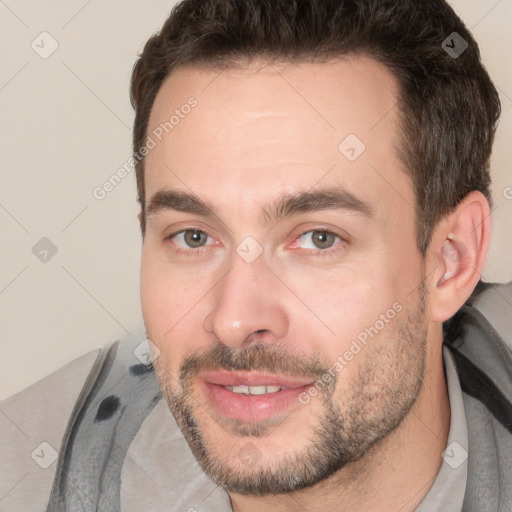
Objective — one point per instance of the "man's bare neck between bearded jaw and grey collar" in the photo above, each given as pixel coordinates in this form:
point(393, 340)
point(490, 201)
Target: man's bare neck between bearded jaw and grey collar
point(395, 474)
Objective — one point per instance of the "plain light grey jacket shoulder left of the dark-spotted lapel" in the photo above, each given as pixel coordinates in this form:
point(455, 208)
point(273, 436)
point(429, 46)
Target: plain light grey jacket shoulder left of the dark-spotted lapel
point(32, 425)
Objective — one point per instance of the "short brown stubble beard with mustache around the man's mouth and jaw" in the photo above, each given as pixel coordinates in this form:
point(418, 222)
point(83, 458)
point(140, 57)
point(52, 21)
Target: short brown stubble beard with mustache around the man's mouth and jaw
point(374, 405)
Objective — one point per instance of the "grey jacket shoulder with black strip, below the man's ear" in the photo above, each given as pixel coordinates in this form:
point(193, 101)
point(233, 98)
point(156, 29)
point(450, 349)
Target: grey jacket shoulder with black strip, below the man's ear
point(479, 338)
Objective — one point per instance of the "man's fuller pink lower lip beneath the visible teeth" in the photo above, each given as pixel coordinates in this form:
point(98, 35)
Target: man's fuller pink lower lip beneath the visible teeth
point(251, 408)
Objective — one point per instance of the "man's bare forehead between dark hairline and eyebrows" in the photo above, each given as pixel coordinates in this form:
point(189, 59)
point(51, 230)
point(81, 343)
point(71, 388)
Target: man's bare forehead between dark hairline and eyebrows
point(262, 130)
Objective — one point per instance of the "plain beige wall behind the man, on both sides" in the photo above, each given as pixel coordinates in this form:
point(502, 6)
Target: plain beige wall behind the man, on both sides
point(66, 128)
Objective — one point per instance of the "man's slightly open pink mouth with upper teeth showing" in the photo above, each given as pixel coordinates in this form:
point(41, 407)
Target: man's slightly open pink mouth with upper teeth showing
point(251, 396)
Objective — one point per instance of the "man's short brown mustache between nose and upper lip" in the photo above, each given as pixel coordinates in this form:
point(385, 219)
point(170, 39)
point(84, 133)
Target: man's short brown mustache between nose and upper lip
point(259, 356)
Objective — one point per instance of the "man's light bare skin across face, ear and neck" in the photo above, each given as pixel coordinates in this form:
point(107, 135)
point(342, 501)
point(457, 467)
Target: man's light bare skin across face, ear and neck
point(267, 130)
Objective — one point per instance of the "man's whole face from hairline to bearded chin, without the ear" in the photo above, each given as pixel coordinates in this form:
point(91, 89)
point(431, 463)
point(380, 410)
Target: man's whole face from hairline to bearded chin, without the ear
point(284, 255)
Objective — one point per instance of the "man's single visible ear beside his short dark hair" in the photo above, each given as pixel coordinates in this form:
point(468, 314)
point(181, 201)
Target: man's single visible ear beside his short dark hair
point(456, 255)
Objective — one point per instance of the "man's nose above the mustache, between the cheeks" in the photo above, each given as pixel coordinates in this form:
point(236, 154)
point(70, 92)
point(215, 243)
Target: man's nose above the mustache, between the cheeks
point(246, 306)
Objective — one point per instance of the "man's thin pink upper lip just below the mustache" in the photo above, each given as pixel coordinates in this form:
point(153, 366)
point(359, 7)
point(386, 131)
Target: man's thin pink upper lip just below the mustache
point(227, 378)
